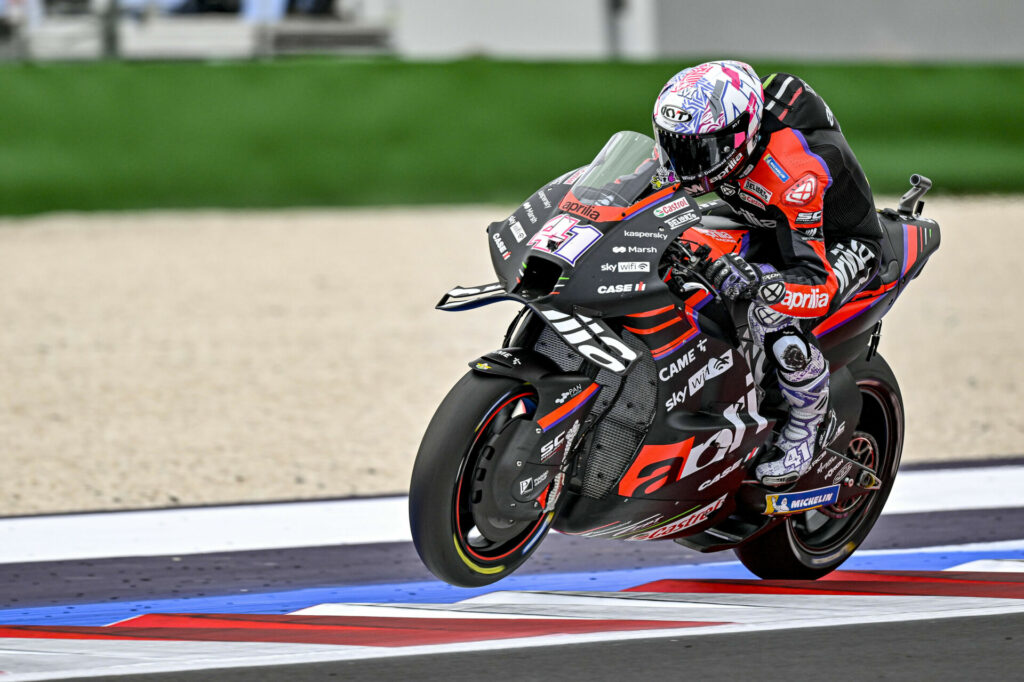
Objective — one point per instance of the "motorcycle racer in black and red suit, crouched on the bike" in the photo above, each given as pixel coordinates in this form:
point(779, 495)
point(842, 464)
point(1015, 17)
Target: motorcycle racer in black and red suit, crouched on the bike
point(775, 154)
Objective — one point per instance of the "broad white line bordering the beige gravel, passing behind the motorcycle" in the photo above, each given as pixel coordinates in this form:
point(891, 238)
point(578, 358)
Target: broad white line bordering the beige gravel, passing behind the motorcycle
point(169, 532)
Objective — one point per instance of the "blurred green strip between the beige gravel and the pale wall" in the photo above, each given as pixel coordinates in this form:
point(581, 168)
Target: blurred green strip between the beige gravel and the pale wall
point(336, 133)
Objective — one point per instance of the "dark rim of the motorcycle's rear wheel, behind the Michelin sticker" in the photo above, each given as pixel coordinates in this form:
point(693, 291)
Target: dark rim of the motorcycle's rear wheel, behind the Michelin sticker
point(876, 443)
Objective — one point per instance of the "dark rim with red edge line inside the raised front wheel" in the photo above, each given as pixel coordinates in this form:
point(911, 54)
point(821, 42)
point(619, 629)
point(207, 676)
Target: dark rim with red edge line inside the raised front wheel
point(472, 533)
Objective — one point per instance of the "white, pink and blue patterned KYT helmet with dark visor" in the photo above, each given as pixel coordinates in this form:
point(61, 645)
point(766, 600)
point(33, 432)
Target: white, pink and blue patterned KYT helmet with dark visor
point(707, 120)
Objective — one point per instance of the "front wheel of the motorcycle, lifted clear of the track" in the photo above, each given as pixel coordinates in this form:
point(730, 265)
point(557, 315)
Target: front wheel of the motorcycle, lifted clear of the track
point(456, 541)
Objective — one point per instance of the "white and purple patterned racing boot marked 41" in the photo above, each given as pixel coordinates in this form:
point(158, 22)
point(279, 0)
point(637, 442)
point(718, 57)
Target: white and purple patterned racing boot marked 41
point(794, 451)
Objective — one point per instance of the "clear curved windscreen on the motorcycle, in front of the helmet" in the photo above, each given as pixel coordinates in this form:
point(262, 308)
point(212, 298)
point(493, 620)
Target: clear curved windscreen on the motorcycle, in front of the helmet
point(621, 174)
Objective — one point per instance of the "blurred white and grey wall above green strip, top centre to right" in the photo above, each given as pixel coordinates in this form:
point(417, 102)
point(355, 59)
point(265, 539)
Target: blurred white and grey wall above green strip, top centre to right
point(915, 30)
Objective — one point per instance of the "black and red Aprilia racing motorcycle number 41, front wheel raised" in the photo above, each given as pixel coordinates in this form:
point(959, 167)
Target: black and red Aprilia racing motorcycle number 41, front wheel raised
point(625, 404)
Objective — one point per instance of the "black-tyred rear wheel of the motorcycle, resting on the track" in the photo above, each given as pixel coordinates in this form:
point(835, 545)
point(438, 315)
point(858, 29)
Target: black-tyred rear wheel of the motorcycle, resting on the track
point(814, 544)
